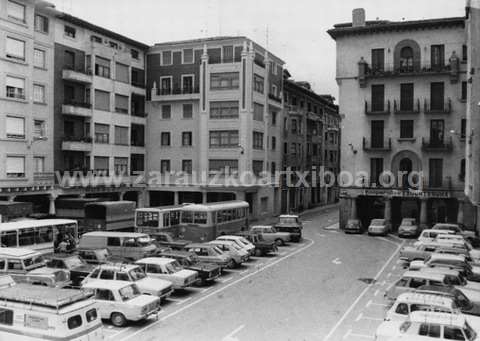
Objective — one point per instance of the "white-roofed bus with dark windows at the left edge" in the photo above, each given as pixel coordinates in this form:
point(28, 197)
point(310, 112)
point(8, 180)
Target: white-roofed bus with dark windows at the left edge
point(39, 235)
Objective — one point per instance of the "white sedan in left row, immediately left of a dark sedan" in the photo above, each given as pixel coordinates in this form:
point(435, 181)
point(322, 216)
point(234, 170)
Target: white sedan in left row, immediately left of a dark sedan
point(168, 269)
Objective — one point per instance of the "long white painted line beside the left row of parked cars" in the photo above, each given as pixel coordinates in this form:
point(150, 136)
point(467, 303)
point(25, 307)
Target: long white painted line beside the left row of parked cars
point(210, 294)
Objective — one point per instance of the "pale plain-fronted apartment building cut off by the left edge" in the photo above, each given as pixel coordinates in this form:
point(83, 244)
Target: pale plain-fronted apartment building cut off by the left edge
point(26, 102)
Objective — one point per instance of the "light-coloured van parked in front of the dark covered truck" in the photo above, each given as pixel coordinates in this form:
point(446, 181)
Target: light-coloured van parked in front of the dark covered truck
point(128, 245)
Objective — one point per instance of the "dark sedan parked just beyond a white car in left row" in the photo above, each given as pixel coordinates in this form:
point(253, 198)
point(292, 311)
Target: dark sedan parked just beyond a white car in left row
point(207, 272)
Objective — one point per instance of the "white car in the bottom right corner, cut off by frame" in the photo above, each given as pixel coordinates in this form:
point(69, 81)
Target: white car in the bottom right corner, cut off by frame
point(426, 325)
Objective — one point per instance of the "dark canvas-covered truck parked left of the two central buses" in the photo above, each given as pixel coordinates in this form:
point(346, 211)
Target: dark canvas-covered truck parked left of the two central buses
point(109, 216)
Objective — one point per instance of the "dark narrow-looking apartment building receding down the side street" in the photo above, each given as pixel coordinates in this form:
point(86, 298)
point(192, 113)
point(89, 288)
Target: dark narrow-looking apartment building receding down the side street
point(310, 144)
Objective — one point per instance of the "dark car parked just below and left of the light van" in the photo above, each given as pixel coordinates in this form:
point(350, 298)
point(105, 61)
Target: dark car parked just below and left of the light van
point(79, 269)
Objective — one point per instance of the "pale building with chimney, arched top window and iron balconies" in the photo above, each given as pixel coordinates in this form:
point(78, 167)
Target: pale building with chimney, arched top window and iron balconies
point(403, 93)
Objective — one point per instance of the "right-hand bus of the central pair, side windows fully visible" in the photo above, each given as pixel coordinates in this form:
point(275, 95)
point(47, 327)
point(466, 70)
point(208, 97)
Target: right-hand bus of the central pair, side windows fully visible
point(205, 222)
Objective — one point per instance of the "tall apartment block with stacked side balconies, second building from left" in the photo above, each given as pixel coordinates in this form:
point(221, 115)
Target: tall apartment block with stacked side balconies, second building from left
point(99, 109)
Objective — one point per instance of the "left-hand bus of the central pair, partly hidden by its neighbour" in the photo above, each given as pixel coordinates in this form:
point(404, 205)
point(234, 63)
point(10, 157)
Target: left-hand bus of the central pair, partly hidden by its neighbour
point(158, 219)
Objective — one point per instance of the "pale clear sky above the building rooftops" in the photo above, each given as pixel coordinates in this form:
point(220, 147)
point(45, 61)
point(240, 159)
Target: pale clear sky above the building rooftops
point(295, 31)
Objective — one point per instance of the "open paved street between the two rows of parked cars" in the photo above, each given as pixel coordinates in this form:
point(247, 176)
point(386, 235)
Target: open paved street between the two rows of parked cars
point(301, 294)
